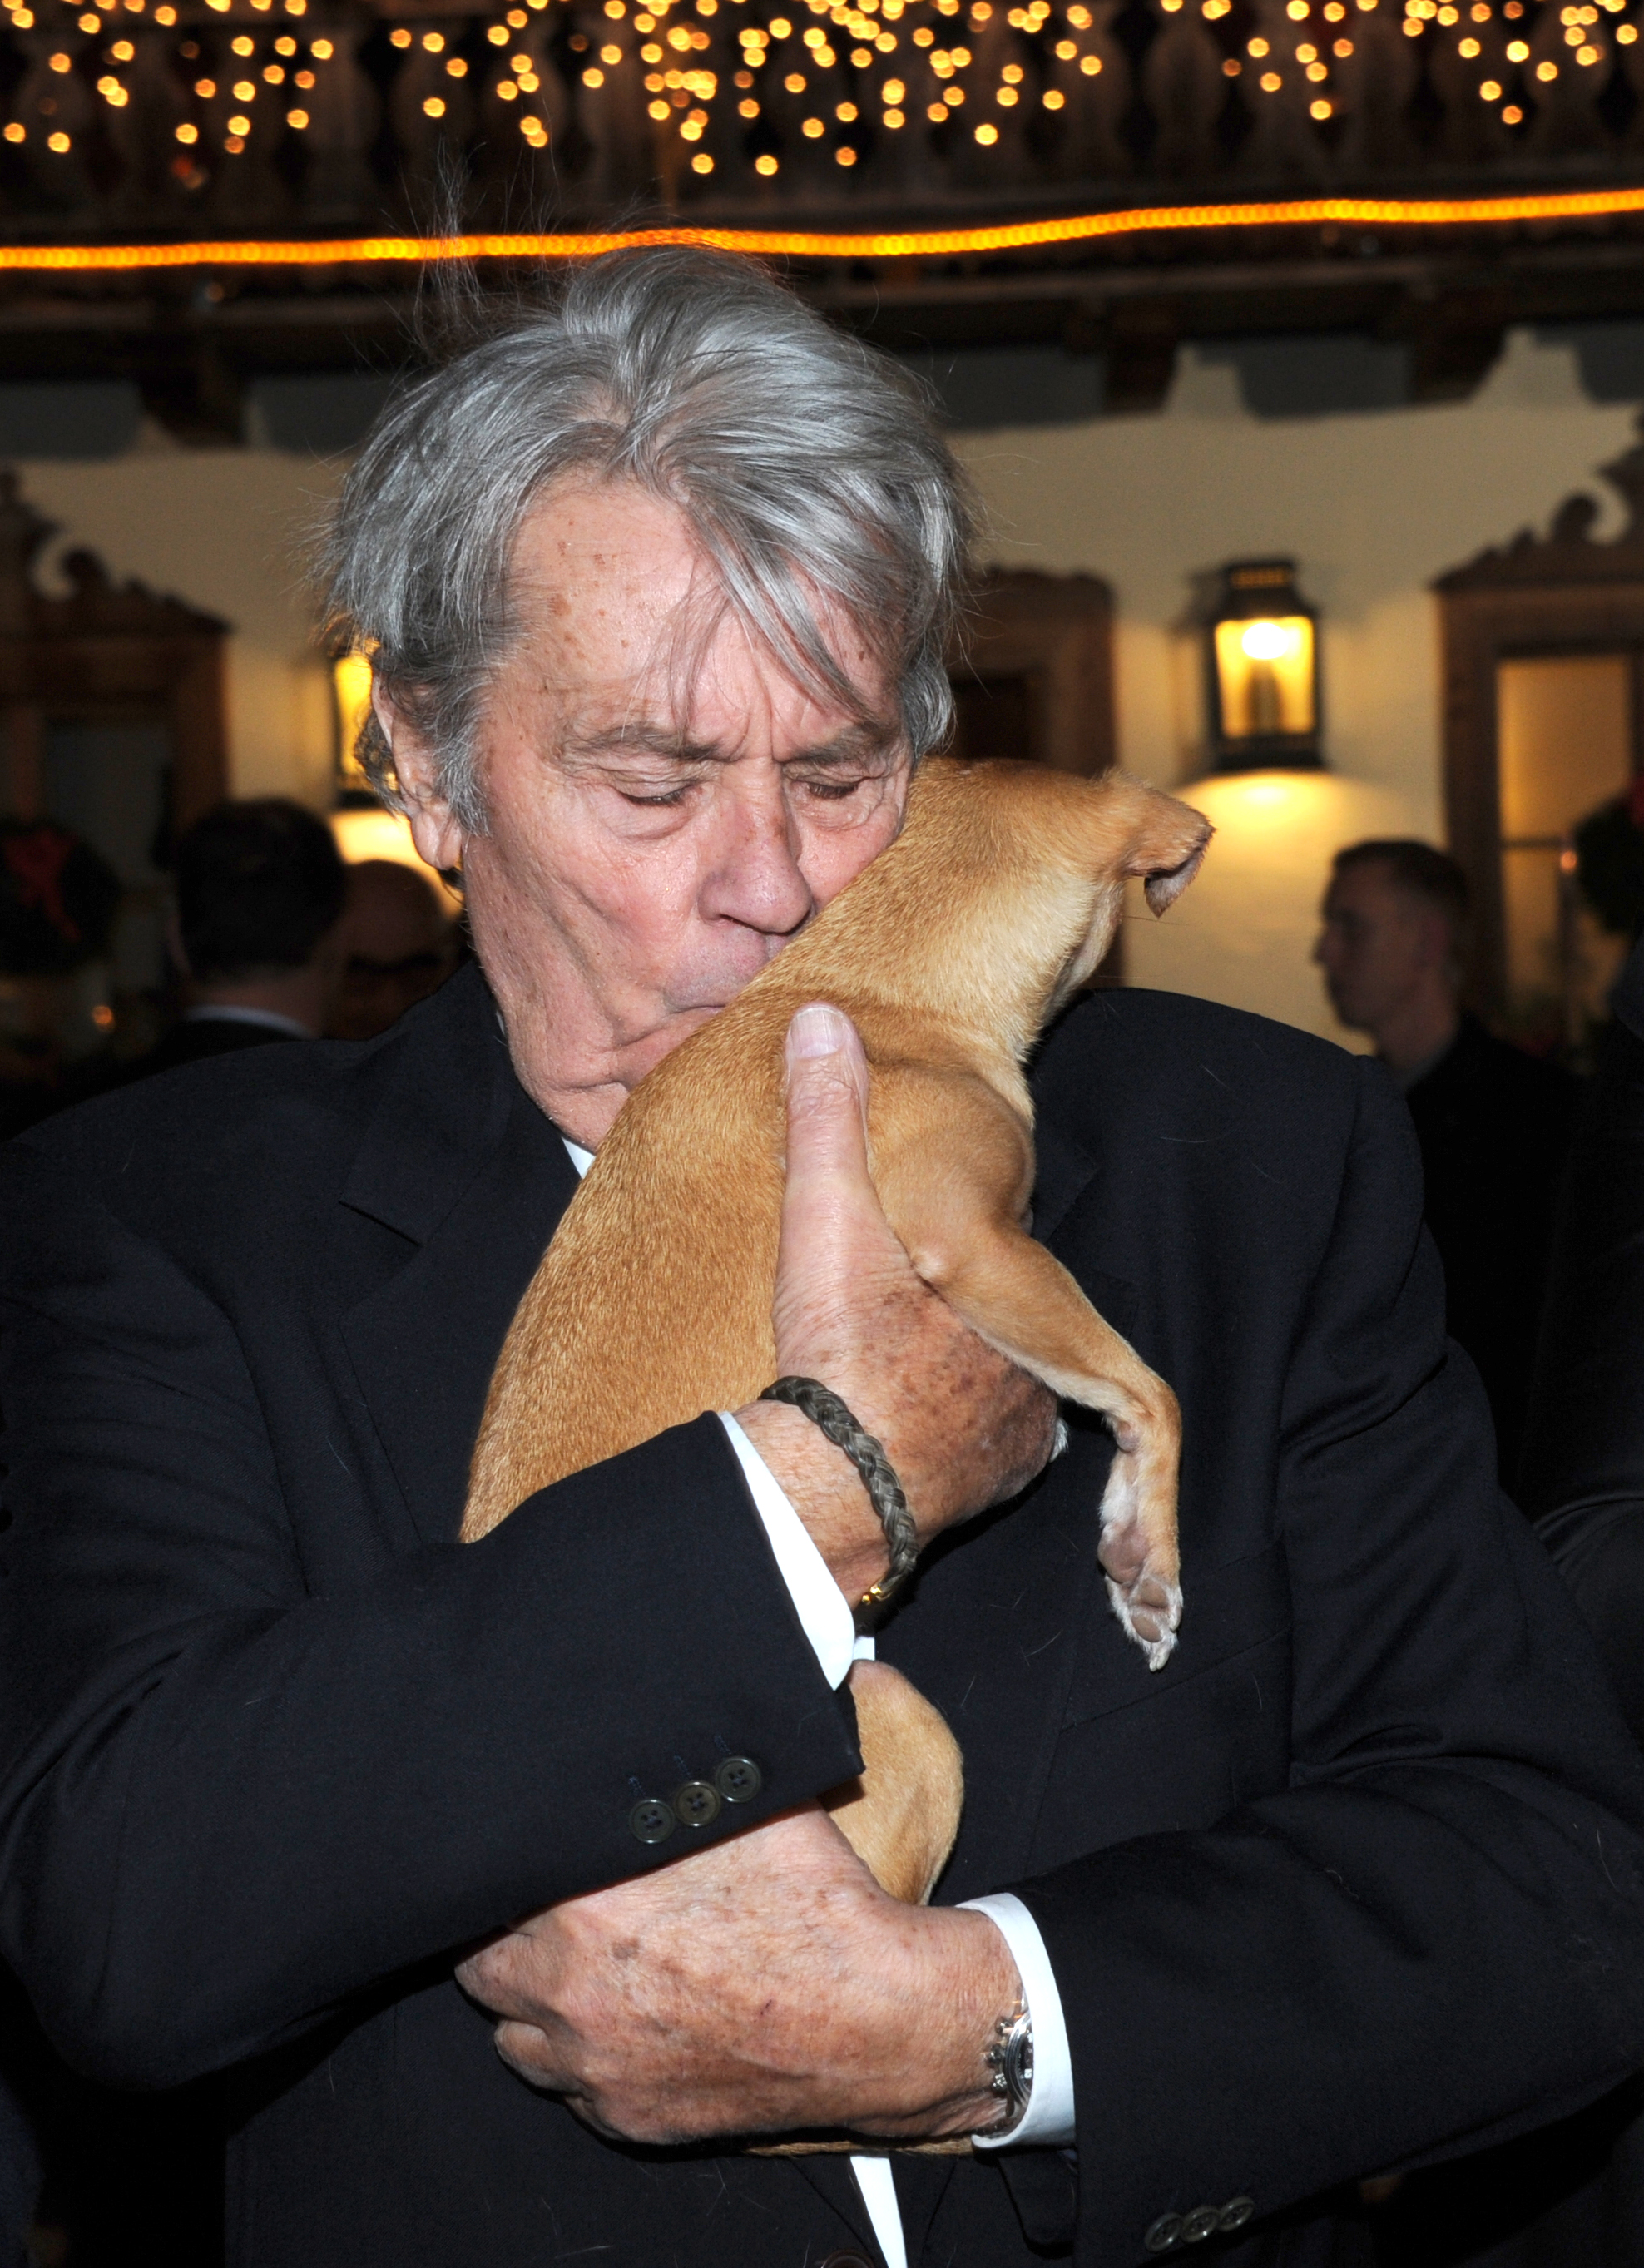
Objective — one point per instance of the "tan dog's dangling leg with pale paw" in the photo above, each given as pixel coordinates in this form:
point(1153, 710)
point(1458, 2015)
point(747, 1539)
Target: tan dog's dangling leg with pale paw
point(956, 1212)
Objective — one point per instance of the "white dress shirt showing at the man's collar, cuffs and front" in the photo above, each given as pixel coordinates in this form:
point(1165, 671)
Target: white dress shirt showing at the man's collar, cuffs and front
point(833, 1636)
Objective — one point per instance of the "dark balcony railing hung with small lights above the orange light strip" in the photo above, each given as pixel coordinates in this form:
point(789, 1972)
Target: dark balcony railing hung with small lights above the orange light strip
point(260, 117)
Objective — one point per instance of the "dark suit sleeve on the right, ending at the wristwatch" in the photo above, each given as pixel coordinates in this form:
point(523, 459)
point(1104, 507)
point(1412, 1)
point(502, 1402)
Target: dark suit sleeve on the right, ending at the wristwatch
point(1434, 1938)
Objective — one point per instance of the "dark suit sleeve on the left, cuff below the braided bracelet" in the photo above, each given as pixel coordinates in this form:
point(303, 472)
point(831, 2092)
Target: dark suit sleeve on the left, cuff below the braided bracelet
point(232, 1806)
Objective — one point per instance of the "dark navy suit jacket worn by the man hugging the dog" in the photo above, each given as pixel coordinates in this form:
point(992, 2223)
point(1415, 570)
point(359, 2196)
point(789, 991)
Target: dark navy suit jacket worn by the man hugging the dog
point(1355, 1881)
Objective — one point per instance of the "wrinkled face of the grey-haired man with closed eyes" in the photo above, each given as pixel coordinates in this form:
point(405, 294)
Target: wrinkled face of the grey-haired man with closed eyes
point(666, 806)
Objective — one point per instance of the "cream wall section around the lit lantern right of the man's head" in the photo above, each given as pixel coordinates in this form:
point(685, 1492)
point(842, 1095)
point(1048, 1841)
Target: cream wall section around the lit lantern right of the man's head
point(1373, 507)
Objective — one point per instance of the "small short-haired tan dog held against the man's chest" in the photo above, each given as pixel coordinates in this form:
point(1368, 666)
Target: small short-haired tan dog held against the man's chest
point(654, 1301)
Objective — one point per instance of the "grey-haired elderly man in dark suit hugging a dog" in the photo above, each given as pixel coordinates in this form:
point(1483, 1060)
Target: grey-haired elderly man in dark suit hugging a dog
point(305, 1795)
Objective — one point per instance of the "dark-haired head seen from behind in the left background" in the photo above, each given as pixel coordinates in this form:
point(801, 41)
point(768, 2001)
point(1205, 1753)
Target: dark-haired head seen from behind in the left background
point(257, 933)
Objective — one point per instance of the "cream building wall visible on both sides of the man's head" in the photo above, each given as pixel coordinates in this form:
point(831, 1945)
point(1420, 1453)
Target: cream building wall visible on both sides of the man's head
point(1373, 507)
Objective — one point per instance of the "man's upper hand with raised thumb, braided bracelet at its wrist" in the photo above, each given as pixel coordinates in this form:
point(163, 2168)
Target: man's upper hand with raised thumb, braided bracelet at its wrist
point(960, 1423)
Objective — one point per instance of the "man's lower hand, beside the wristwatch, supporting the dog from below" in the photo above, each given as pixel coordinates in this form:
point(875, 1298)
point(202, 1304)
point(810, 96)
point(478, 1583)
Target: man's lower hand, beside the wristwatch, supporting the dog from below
point(754, 1988)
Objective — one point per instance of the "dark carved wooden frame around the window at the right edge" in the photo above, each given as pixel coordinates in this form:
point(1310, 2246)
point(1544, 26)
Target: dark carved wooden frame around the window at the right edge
point(1539, 598)
